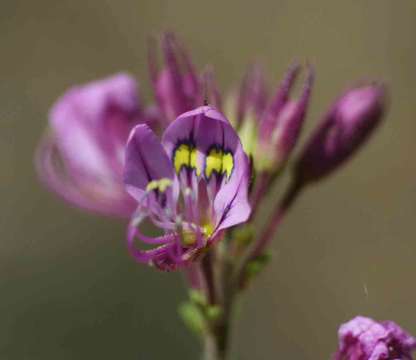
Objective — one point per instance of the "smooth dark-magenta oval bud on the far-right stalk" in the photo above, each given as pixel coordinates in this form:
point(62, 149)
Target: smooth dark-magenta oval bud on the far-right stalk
point(347, 125)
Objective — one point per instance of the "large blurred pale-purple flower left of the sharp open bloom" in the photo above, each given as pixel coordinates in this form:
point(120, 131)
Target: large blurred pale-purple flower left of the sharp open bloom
point(81, 157)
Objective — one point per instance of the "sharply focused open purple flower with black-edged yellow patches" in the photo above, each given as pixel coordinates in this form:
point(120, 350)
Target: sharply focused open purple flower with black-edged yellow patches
point(192, 186)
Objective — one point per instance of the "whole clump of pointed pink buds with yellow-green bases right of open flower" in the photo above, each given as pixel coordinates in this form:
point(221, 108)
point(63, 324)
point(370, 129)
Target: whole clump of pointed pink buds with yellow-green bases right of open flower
point(270, 128)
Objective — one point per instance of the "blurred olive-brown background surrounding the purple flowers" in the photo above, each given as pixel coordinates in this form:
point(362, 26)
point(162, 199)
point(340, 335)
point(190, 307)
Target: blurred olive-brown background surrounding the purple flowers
point(69, 290)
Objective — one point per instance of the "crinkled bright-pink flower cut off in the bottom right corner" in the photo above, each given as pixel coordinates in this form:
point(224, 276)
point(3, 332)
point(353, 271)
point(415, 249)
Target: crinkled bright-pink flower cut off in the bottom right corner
point(365, 339)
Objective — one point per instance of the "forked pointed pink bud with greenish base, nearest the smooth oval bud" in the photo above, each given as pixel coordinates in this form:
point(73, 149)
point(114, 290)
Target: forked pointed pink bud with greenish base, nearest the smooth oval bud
point(282, 122)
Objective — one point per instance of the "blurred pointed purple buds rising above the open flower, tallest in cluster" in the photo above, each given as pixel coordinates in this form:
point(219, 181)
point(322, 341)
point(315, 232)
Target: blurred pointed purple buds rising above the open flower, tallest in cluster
point(176, 84)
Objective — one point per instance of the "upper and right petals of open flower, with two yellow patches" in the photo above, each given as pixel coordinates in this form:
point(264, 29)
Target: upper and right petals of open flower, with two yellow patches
point(218, 153)
